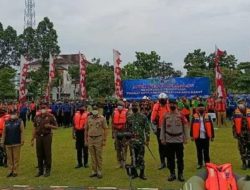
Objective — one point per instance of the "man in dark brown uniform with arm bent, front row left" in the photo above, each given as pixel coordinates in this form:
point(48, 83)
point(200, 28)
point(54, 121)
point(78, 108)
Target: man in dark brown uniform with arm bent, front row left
point(42, 132)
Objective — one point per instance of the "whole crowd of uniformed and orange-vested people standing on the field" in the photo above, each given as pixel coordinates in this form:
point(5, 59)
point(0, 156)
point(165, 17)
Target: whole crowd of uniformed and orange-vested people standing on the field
point(173, 121)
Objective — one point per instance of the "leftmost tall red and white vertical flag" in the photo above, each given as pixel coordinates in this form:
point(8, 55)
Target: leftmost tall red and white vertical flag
point(24, 67)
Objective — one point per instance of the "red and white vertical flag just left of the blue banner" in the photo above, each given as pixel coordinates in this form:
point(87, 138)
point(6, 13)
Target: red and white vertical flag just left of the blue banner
point(117, 74)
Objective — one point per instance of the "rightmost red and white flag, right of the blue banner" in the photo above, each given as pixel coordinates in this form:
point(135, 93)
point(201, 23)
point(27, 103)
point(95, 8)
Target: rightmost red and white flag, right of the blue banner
point(220, 88)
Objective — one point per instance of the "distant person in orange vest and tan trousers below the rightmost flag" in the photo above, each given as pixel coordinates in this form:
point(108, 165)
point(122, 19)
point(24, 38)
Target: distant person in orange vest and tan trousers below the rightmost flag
point(220, 107)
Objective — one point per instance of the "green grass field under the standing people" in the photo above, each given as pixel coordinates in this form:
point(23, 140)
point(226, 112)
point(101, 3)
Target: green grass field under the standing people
point(223, 149)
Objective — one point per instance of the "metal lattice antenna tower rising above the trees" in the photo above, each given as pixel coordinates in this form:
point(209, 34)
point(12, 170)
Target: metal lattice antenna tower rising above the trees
point(29, 14)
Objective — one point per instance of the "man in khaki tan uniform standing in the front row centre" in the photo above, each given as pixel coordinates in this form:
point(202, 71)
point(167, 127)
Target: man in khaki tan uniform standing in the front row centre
point(95, 139)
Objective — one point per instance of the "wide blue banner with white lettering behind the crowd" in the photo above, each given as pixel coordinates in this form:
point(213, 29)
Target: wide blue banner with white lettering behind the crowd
point(173, 87)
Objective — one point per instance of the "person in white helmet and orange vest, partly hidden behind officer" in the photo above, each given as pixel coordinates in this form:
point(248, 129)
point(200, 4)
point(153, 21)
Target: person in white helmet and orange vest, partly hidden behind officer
point(159, 110)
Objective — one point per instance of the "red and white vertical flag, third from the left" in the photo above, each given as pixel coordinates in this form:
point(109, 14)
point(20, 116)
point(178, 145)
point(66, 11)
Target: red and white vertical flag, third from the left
point(83, 71)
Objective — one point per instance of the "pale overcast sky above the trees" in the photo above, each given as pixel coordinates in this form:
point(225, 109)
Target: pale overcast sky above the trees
point(172, 28)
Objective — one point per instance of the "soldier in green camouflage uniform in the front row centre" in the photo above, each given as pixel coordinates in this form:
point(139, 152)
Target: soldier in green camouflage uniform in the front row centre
point(138, 125)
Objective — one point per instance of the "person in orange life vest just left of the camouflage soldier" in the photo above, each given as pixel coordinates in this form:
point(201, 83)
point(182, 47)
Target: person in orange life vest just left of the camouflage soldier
point(119, 119)
